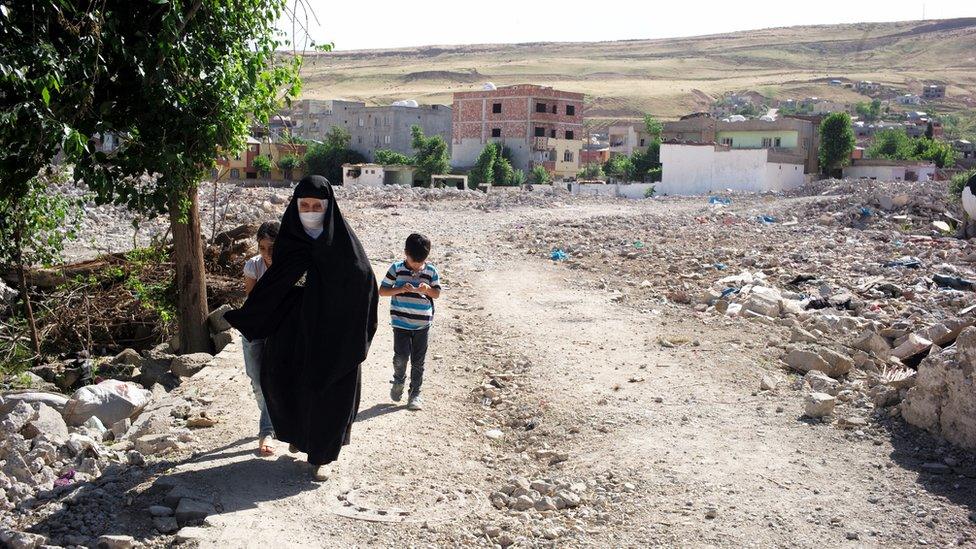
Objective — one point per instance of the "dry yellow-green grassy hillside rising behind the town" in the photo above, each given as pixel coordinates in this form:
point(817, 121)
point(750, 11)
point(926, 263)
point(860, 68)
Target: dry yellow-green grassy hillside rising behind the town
point(669, 77)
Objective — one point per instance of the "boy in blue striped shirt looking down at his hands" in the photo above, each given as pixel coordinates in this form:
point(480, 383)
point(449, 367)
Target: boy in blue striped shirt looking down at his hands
point(414, 285)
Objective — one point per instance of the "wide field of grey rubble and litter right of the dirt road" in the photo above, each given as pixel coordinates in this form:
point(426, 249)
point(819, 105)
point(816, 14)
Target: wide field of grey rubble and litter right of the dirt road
point(854, 305)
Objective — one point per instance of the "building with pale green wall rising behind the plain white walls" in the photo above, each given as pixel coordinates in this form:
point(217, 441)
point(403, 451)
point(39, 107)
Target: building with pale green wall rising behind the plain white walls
point(794, 136)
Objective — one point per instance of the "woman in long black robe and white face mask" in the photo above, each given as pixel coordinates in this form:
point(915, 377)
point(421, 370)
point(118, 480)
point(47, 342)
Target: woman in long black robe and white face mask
point(316, 307)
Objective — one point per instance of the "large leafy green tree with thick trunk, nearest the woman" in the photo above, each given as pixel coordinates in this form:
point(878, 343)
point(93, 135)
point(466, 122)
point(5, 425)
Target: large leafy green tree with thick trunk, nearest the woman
point(182, 79)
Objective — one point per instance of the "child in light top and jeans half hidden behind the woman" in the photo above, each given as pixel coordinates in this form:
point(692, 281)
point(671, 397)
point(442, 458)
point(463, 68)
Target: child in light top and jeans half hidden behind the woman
point(254, 269)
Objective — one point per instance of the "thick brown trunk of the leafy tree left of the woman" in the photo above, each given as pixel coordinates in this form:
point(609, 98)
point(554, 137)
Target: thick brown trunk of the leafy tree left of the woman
point(191, 286)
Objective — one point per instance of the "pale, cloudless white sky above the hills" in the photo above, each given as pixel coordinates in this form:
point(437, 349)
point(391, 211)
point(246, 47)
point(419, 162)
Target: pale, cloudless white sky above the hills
point(387, 24)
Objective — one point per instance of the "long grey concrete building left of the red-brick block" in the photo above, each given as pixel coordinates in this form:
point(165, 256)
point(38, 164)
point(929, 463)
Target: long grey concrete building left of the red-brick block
point(371, 127)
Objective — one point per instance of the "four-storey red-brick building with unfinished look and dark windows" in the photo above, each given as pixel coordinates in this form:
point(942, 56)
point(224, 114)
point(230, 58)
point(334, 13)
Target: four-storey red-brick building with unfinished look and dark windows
point(540, 126)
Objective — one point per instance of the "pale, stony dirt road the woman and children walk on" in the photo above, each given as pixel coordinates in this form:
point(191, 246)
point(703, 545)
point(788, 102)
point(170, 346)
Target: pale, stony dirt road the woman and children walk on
point(653, 416)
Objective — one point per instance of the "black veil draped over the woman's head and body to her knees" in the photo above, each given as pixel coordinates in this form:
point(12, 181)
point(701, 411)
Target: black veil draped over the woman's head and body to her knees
point(334, 315)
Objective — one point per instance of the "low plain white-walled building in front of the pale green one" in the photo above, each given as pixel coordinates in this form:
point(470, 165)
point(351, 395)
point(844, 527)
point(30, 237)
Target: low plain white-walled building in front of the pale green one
point(700, 168)
